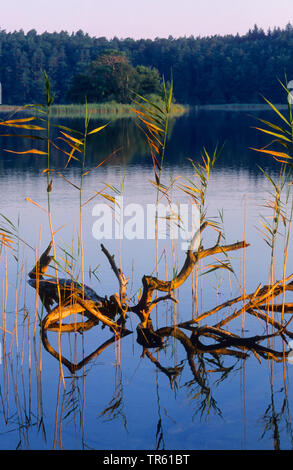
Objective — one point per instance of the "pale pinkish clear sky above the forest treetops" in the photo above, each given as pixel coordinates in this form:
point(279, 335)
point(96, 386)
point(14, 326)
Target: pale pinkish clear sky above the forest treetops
point(145, 18)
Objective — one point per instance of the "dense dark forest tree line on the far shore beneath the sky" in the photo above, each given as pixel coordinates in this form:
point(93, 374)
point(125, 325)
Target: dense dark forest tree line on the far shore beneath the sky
point(215, 69)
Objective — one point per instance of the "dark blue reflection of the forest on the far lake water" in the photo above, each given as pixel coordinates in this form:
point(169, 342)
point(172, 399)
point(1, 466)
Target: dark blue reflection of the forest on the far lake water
point(187, 135)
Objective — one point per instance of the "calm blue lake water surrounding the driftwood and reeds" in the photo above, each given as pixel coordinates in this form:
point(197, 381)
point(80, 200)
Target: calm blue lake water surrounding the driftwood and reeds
point(119, 399)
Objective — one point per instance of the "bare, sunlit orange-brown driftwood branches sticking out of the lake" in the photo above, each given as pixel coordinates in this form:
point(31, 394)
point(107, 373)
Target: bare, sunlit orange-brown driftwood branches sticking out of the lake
point(64, 297)
